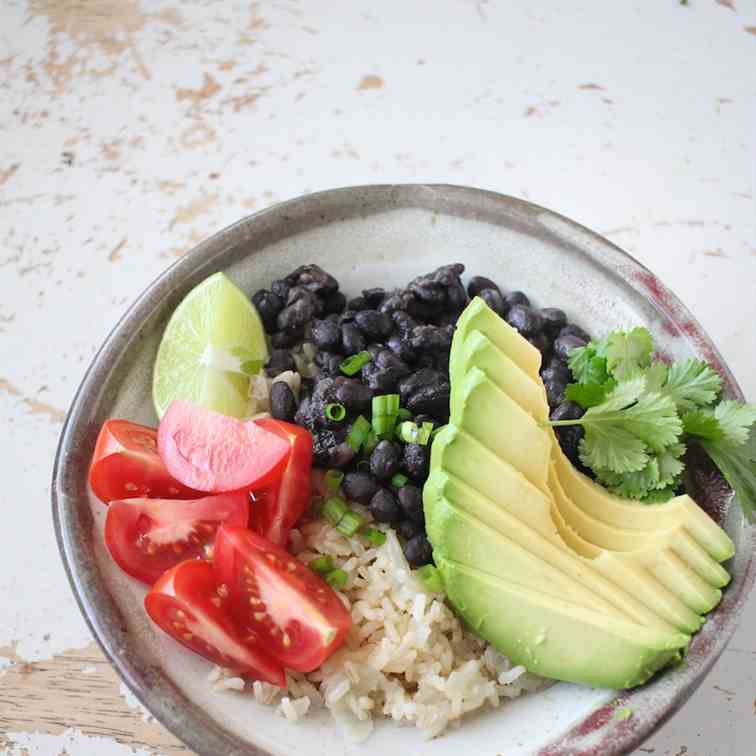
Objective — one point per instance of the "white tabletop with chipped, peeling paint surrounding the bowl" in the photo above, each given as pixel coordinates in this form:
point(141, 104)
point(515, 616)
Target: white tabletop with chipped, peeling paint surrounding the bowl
point(131, 130)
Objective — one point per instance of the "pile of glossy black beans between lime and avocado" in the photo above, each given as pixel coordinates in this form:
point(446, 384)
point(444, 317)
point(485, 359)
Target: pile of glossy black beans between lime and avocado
point(408, 334)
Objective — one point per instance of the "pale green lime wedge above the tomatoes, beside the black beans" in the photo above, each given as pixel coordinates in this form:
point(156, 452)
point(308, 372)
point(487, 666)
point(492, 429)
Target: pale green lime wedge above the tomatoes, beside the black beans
point(213, 342)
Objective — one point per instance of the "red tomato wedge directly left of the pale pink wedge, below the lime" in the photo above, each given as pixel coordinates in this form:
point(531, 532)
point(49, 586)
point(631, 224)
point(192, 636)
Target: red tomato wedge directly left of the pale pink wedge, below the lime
point(126, 464)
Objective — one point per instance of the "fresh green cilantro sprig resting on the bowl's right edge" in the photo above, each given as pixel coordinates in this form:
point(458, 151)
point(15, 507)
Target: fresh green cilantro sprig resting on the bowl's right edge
point(642, 413)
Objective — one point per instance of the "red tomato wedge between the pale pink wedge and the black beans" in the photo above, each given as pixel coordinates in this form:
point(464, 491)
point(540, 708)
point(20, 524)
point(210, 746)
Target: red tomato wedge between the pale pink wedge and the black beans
point(278, 507)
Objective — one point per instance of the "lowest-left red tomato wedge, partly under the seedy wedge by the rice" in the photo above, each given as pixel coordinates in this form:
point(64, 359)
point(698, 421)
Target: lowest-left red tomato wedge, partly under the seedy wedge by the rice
point(188, 605)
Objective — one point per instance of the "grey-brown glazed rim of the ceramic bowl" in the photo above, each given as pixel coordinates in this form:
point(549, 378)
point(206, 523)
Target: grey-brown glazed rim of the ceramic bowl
point(601, 733)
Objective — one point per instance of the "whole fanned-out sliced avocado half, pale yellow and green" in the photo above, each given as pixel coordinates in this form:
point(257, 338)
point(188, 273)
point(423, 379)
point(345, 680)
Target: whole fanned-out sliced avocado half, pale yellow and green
point(652, 569)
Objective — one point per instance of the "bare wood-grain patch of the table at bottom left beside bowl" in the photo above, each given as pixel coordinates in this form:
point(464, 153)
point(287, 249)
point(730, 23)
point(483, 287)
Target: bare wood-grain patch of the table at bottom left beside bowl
point(80, 690)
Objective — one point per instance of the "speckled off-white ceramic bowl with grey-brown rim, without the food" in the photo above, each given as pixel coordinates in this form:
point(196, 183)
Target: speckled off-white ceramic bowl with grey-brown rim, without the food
point(368, 236)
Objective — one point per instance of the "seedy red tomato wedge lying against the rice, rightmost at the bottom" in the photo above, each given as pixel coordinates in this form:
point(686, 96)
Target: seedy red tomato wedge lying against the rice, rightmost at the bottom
point(295, 614)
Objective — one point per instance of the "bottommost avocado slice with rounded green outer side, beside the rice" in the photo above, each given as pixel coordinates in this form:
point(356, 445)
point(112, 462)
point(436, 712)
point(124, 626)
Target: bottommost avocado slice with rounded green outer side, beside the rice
point(555, 638)
